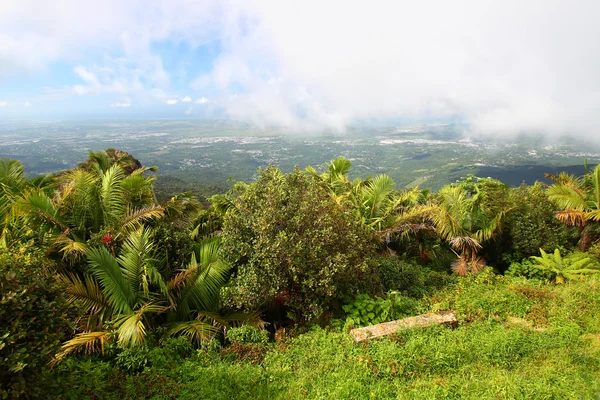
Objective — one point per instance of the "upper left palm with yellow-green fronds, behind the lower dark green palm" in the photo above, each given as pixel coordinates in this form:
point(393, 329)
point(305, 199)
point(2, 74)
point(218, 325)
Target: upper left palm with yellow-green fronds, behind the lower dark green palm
point(87, 202)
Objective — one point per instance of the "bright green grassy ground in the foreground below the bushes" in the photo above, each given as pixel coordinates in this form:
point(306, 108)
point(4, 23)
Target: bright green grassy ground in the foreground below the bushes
point(517, 339)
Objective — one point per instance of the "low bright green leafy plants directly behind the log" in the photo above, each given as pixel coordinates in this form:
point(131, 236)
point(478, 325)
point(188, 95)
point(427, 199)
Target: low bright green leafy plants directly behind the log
point(366, 310)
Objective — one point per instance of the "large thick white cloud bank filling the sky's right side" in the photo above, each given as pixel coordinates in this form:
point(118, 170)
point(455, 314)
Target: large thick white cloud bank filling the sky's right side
point(504, 67)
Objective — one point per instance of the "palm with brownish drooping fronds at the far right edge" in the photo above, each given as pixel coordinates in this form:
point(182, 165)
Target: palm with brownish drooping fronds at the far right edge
point(579, 201)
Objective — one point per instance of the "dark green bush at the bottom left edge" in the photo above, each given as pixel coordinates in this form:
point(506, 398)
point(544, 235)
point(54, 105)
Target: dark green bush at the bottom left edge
point(34, 319)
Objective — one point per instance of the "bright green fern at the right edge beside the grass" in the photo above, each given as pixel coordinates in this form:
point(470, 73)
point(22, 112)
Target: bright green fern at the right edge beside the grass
point(573, 266)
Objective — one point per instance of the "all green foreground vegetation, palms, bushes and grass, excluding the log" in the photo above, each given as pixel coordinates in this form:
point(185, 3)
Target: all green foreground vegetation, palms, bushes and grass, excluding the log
point(108, 292)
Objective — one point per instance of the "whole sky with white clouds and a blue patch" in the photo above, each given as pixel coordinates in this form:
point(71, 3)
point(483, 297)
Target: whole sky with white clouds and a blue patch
point(501, 67)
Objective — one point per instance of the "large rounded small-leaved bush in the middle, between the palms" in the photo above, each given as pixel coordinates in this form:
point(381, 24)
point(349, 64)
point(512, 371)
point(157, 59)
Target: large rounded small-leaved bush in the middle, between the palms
point(290, 239)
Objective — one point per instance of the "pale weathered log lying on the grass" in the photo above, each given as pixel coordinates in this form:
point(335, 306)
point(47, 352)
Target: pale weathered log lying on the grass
point(389, 328)
